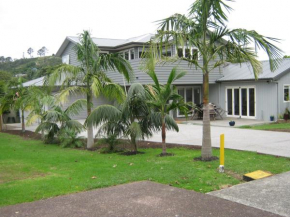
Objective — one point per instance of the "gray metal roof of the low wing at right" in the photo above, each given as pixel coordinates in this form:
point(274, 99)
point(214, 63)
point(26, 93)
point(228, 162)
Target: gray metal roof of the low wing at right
point(244, 71)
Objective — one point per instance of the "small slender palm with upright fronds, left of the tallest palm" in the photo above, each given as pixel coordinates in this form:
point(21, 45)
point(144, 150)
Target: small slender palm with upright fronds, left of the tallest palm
point(165, 98)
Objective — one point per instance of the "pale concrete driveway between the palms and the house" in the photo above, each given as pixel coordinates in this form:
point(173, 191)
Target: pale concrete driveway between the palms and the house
point(267, 142)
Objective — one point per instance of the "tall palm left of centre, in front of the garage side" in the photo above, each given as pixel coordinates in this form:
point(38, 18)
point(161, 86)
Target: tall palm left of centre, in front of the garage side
point(90, 78)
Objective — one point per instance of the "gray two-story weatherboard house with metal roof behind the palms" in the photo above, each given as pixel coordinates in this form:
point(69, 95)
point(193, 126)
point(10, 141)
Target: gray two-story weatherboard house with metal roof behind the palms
point(232, 87)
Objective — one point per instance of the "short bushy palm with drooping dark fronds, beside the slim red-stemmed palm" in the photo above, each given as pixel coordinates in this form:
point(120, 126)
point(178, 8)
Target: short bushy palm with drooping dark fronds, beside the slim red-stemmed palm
point(131, 119)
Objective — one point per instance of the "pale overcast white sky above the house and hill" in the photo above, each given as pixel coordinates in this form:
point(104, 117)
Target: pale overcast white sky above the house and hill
point(38, 23)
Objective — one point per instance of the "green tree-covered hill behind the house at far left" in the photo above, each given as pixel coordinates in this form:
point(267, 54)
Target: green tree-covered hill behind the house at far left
point(32, 67)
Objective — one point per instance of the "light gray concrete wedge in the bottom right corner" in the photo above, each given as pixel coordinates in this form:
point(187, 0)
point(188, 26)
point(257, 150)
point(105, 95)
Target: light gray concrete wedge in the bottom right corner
point(270, 194)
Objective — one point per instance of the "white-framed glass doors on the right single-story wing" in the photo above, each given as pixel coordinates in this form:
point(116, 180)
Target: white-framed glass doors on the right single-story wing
point(241, 102)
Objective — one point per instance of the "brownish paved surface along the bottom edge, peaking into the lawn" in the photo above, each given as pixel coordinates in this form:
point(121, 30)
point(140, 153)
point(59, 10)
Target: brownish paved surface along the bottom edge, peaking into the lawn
point(134, 199)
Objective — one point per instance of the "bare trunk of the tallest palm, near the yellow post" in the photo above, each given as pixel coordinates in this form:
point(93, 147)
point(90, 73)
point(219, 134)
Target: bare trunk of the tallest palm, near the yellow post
point(206, 150)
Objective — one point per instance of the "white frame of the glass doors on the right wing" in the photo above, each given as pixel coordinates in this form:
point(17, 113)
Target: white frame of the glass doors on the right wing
point(240, 102)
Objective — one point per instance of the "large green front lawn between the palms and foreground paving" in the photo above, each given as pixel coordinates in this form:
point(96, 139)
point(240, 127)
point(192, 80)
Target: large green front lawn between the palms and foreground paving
point(30, 170)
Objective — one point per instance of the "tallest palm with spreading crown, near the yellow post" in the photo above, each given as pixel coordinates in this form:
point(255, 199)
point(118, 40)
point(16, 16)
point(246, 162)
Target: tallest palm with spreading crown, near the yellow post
point(205, 29)
